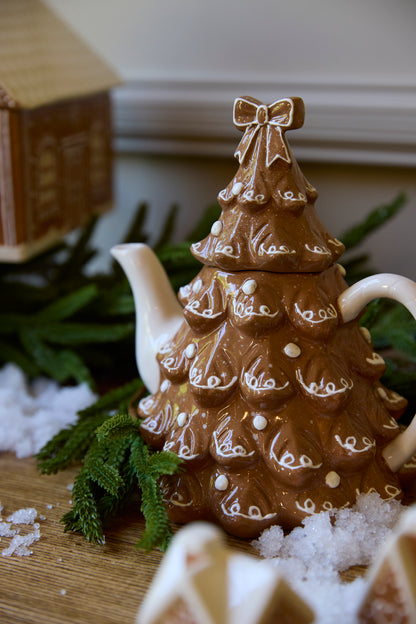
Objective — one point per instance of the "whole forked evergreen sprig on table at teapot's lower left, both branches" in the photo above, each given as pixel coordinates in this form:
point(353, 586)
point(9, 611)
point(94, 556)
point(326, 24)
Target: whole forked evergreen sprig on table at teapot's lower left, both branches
point(115, 463)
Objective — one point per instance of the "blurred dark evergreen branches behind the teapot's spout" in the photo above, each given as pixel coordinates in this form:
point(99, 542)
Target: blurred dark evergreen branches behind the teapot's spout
point(57, 320)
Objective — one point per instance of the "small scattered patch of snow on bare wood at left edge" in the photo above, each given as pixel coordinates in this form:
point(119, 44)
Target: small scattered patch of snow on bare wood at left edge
point(22, 537)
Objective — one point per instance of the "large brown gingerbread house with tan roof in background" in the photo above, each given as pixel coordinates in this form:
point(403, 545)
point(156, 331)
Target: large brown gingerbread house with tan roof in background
point(55, 129)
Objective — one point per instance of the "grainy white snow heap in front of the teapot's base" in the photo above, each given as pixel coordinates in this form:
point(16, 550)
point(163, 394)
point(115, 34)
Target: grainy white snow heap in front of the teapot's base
point(311, 556)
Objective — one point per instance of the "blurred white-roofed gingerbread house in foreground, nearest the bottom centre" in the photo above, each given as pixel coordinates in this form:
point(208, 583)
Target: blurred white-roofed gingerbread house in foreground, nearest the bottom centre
point(197, 580)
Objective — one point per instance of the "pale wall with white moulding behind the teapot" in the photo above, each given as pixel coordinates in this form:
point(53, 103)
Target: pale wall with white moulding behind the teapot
point(184, 61)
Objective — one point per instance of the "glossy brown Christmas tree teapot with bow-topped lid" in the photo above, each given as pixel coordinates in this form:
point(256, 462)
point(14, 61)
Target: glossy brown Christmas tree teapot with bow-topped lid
point(261, 379)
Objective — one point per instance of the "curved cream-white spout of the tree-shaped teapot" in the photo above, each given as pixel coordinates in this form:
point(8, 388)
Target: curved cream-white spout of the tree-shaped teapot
point(158, 311)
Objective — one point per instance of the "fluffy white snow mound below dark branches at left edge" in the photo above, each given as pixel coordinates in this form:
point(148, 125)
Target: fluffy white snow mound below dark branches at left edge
point(31, 414)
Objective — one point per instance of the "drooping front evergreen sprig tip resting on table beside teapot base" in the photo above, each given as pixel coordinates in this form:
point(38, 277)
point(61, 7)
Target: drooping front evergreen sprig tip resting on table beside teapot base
point(118, 461)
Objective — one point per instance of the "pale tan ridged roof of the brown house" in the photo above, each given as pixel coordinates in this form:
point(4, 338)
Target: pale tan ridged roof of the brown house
point(42, 60)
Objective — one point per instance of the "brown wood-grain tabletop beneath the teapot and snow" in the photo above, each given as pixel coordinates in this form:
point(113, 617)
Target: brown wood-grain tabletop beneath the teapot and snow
point(67, 580)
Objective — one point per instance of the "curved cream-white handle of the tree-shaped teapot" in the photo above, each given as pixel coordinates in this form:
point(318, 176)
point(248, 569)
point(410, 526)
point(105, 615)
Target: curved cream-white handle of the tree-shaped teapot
point(350, 303)
